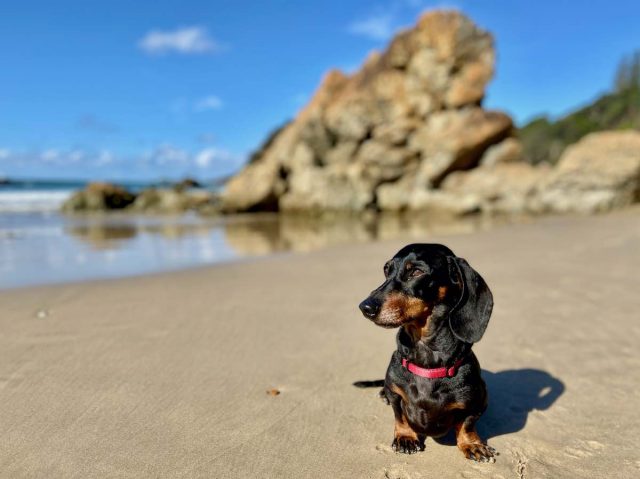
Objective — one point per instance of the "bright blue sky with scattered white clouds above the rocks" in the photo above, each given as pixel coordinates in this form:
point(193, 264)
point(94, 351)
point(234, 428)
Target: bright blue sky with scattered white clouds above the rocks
point(162, 89)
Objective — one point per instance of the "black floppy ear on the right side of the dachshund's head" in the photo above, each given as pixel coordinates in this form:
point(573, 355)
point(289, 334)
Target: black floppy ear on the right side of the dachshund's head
point(470, 316)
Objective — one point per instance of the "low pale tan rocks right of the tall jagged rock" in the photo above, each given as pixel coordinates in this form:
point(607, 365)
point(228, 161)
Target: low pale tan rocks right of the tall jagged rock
point(599, 173)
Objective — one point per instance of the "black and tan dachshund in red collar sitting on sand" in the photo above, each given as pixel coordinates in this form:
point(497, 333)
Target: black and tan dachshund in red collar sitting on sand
point(442, 306)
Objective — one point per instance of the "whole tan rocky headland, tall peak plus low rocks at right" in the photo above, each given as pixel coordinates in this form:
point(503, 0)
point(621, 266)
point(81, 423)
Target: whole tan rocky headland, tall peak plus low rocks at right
point(408, 132)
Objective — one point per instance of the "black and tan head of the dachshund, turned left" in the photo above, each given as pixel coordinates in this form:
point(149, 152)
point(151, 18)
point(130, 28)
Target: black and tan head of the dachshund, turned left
point(423, 278)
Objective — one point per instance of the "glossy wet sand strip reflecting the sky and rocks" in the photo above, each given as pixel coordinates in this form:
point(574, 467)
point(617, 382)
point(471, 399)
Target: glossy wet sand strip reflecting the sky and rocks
point(56, 248)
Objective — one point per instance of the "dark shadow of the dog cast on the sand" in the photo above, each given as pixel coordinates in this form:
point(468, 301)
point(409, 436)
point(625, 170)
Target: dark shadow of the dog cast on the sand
point(513, 394)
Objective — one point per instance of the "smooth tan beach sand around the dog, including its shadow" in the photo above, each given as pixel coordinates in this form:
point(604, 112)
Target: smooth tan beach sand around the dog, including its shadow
point(166, 375)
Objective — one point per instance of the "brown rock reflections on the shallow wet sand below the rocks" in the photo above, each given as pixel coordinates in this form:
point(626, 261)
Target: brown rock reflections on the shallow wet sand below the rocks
point(261, 234)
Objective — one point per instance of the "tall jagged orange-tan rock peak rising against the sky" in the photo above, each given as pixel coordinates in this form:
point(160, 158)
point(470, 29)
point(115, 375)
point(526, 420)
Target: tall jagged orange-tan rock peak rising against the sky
point(387, 136)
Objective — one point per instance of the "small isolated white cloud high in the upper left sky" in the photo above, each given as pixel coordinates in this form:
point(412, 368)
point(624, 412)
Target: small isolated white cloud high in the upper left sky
point(189, 40)
